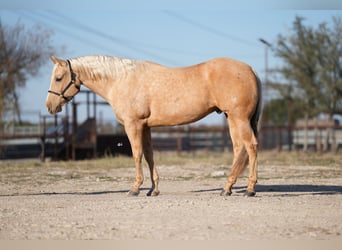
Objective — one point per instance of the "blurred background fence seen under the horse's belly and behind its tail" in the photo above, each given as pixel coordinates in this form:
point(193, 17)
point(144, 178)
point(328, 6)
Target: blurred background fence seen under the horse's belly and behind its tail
point(216, 138)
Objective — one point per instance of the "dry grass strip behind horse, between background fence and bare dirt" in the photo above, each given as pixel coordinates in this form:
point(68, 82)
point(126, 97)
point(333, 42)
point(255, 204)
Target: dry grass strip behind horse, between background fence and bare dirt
point(24, 174)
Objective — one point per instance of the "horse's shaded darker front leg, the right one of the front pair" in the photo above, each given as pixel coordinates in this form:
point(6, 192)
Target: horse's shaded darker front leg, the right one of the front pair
point(148, 154)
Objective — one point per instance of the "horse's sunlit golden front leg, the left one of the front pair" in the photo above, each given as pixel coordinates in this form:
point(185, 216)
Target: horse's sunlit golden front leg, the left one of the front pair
point(134, 132)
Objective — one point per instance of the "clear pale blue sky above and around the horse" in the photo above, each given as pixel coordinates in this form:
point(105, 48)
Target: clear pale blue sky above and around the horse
point(170, 34)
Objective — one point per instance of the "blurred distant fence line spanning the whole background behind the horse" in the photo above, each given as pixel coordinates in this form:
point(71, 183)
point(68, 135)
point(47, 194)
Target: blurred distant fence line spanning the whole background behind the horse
point(42, 139)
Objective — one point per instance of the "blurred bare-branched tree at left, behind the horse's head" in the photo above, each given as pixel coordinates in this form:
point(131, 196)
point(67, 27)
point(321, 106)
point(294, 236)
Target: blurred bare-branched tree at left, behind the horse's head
point(22, 53)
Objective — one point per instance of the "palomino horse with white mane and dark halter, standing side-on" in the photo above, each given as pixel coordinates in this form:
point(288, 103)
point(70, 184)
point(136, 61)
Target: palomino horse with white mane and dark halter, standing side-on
point(144, 94)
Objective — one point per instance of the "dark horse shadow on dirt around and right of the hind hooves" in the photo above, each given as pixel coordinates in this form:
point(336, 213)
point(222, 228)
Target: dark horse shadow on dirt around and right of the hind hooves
point(286, 190)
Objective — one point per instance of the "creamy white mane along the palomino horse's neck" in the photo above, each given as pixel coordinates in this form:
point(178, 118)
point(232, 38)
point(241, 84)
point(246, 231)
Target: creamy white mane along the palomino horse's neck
point(104, 67)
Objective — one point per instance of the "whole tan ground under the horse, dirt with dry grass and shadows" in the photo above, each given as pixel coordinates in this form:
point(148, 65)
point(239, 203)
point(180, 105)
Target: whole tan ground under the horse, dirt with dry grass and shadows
point(298, 197)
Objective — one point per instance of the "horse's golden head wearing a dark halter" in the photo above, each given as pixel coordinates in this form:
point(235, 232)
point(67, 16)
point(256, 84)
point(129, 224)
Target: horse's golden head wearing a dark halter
point(63, 87)
